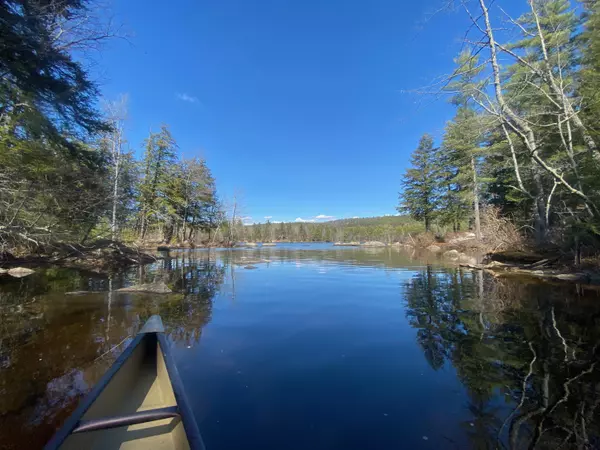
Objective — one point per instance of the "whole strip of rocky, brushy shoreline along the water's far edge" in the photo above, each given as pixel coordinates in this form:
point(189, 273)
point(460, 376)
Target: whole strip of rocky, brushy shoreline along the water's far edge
point(107, 256)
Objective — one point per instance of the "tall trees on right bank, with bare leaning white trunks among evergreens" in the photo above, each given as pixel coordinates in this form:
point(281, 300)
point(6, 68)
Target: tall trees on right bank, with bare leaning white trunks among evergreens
point(524, 140)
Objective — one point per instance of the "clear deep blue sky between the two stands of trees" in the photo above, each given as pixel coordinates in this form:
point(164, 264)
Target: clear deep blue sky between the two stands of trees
point(297, 106)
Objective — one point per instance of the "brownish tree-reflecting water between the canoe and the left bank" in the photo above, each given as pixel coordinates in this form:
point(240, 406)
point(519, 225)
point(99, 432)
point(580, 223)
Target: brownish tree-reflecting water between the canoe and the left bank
point(53, 348)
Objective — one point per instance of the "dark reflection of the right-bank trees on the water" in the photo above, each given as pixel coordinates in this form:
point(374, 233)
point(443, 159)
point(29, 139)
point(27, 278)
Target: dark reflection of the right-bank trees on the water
point(521, 343)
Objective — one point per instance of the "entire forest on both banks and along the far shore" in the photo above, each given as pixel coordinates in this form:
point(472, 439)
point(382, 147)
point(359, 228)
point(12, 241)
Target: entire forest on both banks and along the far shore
point(523, 143)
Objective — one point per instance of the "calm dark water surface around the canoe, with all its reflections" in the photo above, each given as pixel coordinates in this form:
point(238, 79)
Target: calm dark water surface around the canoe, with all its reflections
point(320, 348)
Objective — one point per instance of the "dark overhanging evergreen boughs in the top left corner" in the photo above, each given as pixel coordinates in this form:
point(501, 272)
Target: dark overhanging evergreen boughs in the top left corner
point(45, 94)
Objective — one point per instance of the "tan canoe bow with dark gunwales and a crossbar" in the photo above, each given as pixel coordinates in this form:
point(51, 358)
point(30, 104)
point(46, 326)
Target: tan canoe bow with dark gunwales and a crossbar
point(139, 403)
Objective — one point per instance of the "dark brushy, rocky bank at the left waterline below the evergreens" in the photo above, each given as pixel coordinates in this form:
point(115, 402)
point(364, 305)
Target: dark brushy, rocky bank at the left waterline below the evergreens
point(99, 256)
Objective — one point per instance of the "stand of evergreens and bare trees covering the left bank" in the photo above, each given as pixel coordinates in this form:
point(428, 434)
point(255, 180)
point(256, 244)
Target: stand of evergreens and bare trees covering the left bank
point(66, 171)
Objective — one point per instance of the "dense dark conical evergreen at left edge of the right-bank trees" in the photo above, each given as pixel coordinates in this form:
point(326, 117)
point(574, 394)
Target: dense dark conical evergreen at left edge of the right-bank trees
point(420, 185)
